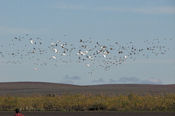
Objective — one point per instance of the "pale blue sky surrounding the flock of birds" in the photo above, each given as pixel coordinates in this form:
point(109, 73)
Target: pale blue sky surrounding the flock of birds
point(100, 20)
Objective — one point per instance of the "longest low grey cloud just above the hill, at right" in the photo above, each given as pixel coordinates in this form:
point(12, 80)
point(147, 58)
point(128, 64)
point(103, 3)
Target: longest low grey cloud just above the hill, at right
point(135, 80)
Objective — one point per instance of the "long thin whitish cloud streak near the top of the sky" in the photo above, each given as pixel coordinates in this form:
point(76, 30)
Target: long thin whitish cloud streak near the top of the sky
point(140, 10)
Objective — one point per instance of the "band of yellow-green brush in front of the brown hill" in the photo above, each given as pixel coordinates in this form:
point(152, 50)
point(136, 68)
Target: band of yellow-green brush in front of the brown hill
point(80, 102)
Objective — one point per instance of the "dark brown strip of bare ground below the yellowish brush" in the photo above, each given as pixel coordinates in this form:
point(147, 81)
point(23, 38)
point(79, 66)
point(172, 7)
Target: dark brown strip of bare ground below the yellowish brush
point(91, 113)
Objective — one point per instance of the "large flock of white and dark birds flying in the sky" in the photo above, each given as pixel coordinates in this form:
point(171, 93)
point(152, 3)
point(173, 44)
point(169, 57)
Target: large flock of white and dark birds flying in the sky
point(92, 54)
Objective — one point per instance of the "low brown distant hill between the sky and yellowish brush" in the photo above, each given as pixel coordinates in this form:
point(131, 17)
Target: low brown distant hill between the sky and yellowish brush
point(43, 88)
